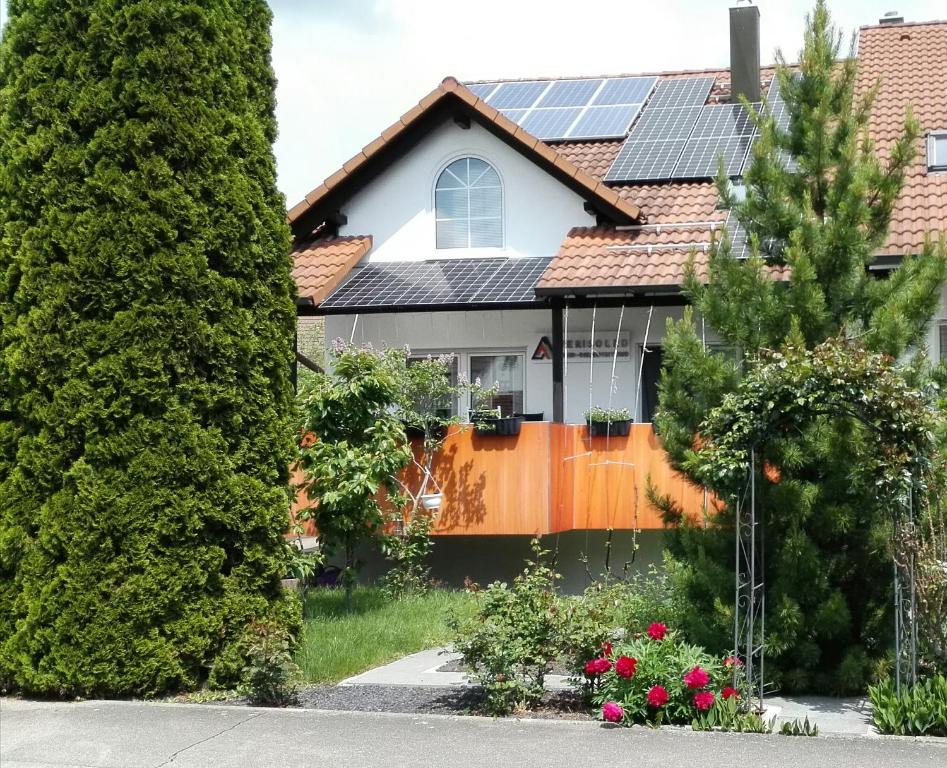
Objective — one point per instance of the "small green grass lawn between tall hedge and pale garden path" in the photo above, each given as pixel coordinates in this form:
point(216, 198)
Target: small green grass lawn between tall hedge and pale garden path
point(336, 644)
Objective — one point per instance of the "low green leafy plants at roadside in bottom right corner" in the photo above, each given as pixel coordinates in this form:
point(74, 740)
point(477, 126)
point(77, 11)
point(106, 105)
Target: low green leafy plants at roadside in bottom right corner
point(920, 710)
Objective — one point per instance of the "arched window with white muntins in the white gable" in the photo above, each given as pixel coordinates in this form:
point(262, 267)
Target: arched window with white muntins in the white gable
point(468, 205)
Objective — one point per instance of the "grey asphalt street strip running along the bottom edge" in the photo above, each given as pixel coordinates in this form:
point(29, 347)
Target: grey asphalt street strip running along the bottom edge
point(113, 734)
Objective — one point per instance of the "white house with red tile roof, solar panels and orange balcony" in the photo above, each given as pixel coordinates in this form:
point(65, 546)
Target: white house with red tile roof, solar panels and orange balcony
point(539, 231)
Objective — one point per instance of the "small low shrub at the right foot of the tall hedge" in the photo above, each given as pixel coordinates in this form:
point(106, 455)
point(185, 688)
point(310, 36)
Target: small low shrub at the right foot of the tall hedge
point(270, 677)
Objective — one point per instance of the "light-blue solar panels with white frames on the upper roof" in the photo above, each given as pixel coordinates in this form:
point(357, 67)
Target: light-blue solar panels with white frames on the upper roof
point(557, 110)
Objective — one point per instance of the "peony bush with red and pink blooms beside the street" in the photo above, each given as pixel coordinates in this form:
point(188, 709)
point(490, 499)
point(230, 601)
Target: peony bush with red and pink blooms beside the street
point(657, 678)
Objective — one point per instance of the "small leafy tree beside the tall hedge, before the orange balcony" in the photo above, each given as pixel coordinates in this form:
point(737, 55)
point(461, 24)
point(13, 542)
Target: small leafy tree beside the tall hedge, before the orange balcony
point(351, 451)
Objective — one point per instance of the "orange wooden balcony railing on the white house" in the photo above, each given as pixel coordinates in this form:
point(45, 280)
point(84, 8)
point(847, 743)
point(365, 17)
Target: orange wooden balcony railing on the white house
point(553, 478)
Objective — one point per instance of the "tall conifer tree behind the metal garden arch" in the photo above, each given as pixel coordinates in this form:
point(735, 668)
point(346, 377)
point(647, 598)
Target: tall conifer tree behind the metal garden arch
point(819, 198)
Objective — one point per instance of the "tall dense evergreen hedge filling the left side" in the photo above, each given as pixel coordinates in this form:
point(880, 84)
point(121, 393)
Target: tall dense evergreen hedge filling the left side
point(147, 318)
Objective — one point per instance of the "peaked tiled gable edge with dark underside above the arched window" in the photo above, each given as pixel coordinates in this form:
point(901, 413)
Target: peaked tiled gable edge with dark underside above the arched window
point(432, 110)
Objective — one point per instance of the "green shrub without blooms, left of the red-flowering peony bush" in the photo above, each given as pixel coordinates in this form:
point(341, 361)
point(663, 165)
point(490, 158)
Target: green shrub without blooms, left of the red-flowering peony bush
point(508, 644)
